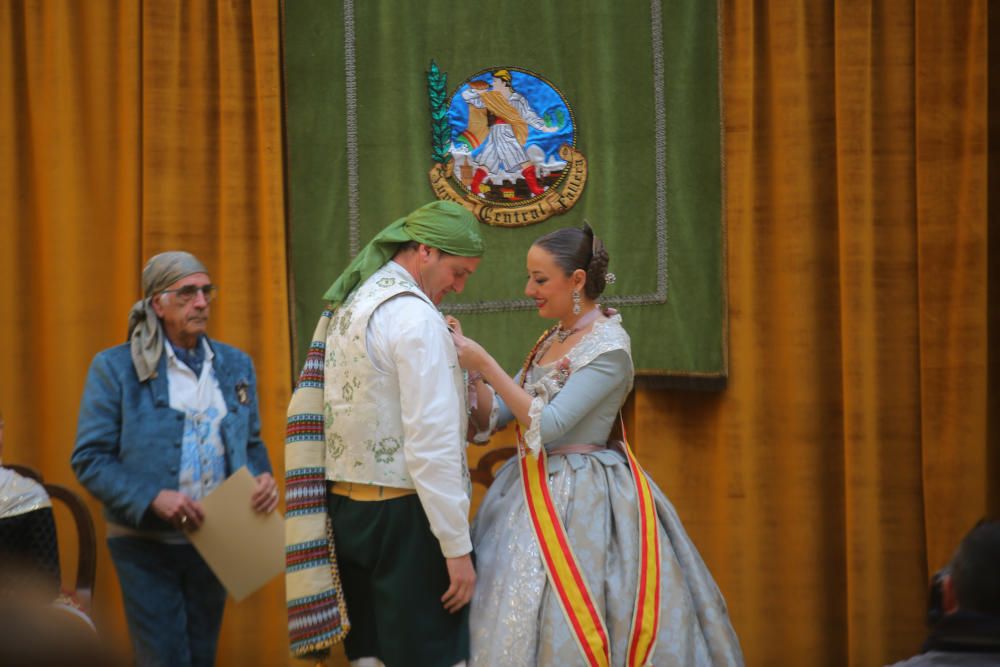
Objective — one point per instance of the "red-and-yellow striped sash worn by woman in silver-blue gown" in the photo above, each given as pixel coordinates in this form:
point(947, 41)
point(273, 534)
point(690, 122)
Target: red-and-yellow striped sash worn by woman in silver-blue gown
point(563, 569)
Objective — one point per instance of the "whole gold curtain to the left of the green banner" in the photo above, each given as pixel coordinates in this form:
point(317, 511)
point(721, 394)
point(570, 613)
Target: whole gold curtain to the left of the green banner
point(138, 127)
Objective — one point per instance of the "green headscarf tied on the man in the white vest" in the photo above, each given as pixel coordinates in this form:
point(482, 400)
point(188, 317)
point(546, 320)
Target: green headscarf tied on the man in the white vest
point(444, 225)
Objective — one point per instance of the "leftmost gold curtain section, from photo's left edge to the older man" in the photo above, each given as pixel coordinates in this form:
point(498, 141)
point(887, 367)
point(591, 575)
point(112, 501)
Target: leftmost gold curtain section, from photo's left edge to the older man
point(69, 255)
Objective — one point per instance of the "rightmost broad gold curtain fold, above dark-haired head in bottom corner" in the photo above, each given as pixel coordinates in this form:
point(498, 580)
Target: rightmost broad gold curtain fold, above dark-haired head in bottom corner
point(952, 246)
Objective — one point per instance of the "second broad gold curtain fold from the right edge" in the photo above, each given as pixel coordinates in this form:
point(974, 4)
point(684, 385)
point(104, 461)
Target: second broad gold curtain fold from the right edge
point(878, 355)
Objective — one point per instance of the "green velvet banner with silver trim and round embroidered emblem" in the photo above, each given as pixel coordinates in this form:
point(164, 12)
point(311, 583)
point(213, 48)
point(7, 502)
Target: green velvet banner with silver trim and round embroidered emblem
point(379, 93)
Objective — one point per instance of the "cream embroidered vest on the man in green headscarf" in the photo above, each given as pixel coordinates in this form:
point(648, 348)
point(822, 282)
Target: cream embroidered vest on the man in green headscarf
point(362, 415)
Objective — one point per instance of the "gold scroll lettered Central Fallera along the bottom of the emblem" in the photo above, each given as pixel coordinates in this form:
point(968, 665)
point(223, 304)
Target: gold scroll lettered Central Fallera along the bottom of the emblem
point(555, 201)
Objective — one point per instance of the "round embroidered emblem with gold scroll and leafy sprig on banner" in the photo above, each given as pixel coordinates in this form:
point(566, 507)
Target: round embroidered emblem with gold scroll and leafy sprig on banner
point(504, 146)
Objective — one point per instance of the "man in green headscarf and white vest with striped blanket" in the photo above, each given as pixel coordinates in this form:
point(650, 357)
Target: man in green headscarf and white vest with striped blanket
point(384, 375)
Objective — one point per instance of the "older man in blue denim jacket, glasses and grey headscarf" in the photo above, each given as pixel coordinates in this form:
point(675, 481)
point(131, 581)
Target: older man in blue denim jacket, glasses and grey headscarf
point(164, 419)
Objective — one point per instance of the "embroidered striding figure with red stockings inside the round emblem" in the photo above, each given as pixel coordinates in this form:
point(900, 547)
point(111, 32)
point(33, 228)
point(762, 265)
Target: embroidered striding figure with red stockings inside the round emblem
point(503, 115)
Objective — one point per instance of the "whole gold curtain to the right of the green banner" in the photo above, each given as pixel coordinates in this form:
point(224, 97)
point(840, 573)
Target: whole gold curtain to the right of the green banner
point(851, 450)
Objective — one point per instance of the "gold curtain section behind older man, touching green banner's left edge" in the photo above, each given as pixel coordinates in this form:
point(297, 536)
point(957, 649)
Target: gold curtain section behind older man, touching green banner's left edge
point(212, 184)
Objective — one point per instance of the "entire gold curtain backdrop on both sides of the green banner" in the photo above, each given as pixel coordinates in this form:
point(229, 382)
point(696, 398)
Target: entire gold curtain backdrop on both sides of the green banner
point(852, 448)
